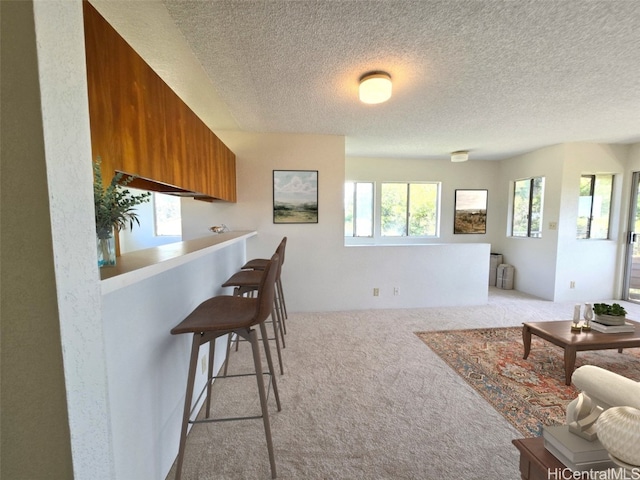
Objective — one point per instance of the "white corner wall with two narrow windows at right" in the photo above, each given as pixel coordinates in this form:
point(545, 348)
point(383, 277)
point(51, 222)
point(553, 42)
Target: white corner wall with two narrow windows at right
point(545, 266)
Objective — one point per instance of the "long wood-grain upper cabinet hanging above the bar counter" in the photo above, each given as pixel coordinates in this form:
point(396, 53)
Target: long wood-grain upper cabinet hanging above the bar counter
point(139, 126)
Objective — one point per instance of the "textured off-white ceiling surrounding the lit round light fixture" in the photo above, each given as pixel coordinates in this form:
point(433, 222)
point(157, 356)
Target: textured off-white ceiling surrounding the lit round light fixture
point(498, 78)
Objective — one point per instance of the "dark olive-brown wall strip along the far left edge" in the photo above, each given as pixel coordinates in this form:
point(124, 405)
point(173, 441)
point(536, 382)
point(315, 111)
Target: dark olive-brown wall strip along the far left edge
point(35, 433)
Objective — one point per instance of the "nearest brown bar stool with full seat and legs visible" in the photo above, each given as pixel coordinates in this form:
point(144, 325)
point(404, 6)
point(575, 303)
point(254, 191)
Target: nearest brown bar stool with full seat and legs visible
point(222, 315)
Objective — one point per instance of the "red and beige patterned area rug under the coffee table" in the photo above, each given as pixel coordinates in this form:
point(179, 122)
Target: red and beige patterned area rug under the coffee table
point(528, 393)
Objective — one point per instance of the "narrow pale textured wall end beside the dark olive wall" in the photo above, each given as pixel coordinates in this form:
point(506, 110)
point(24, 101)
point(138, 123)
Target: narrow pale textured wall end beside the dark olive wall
point(63, 88)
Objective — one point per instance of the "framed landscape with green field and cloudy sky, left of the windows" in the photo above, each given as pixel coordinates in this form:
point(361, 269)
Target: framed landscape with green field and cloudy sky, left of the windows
point(295, 196)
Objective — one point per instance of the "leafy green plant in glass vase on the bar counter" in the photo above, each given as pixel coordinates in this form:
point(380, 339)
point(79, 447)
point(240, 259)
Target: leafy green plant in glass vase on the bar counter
point(114, 208)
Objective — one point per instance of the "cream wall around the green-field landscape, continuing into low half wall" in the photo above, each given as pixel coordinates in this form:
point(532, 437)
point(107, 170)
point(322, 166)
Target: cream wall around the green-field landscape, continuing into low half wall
point(320, 273)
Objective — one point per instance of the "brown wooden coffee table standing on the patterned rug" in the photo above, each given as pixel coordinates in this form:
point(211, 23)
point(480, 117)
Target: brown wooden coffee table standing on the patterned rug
point(560, 334)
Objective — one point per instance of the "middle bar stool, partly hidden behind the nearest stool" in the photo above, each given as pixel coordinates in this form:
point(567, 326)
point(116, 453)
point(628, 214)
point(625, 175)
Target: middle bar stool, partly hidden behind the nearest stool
point(245, 282)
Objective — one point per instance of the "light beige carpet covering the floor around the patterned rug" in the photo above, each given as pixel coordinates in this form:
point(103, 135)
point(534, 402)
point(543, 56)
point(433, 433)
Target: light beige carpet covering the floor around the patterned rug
point(364, 398)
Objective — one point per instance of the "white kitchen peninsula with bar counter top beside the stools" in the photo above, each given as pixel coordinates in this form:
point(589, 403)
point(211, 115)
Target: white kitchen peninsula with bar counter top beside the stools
point(143, 297)
